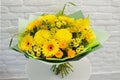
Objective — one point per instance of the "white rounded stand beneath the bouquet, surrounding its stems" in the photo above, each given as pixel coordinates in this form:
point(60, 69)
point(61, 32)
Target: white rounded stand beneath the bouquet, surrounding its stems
point(40, 71)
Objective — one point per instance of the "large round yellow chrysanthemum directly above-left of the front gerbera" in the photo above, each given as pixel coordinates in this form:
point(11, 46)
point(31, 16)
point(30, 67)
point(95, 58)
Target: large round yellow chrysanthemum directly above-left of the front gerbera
point(41, 36)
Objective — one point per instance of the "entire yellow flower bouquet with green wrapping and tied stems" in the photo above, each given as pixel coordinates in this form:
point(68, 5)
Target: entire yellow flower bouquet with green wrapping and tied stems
point(56, 39)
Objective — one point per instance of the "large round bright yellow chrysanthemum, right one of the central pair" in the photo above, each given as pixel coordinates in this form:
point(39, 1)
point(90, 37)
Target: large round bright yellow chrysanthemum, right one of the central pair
point(63, 35)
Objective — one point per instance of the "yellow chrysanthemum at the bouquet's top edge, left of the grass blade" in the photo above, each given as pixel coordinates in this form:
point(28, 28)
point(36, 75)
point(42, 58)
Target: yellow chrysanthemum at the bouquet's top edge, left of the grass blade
point(49, 18)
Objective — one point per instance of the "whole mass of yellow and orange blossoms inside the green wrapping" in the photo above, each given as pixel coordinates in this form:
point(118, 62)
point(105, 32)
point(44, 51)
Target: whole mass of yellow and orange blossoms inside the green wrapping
point(51, 36)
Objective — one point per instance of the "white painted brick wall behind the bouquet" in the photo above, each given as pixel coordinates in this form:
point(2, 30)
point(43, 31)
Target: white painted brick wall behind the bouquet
point(103, 14)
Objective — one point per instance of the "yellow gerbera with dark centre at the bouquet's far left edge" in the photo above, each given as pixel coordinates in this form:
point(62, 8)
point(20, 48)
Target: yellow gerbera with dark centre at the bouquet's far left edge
point(26, 42)
